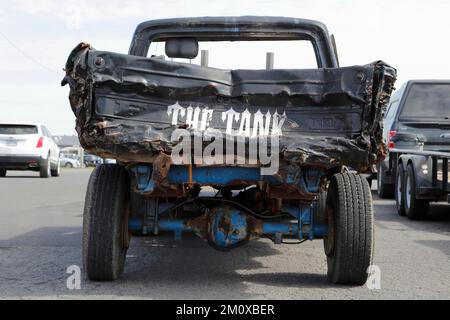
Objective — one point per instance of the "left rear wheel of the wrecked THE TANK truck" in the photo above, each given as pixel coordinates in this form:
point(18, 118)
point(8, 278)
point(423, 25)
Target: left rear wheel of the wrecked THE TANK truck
point(105, 223)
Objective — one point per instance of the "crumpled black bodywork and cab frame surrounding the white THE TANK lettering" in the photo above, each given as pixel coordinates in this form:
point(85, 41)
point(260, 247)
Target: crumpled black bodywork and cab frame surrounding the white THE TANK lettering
point(333, 114)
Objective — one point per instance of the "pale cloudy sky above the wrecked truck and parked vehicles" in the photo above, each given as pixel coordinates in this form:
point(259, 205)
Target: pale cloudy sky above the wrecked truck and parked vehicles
point(36, 37)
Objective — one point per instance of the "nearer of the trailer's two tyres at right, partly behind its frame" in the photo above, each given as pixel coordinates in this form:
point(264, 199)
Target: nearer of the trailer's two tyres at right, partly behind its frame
point(415, 209)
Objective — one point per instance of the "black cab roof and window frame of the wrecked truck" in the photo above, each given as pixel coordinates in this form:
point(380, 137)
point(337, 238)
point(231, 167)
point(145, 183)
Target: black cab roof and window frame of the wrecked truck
point(235, 29)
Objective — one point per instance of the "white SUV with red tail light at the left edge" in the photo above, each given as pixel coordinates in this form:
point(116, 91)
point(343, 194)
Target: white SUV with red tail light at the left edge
point(28, 146)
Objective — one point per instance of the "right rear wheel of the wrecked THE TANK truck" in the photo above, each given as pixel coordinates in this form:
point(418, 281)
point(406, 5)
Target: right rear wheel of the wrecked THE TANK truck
point(349, 243)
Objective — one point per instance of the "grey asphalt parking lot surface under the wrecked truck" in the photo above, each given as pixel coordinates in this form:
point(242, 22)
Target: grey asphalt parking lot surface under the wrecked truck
point(40, 237)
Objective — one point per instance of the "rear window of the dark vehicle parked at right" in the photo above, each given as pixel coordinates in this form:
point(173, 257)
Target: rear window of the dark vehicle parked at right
point(427, 101)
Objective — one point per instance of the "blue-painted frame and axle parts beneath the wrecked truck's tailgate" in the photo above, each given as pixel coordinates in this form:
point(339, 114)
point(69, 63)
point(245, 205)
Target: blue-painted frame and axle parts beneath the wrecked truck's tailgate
point(304, 228)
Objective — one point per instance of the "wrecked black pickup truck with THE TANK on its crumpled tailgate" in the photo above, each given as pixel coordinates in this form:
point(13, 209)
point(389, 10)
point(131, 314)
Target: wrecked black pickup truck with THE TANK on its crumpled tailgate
point(229, 154)
